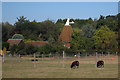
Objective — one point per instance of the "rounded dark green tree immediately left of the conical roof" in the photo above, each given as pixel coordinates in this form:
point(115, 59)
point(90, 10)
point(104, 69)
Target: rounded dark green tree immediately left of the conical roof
point(47, 29)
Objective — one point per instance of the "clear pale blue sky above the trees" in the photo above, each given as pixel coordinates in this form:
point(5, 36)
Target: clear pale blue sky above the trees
point(41, 11)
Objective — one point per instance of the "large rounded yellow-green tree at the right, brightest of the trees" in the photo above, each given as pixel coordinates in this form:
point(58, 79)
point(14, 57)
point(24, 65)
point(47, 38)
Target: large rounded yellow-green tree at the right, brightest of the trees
point(105, 39)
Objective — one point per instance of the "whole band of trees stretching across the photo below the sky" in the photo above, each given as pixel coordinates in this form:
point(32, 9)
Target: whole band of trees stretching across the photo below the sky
point(89, 35)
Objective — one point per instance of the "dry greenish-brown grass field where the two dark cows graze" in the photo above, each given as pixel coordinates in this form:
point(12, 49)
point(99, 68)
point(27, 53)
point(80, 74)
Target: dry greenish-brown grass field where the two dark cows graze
point(53, 68)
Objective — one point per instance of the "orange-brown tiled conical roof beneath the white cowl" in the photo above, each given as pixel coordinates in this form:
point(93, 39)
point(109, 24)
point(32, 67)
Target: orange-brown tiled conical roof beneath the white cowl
point(66, 34)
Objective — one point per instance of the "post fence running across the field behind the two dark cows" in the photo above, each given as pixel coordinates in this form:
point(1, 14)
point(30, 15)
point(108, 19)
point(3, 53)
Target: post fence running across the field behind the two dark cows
point(59, 58)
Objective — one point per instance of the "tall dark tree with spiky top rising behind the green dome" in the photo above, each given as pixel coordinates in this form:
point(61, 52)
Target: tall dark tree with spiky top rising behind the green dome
point(26, 28)
